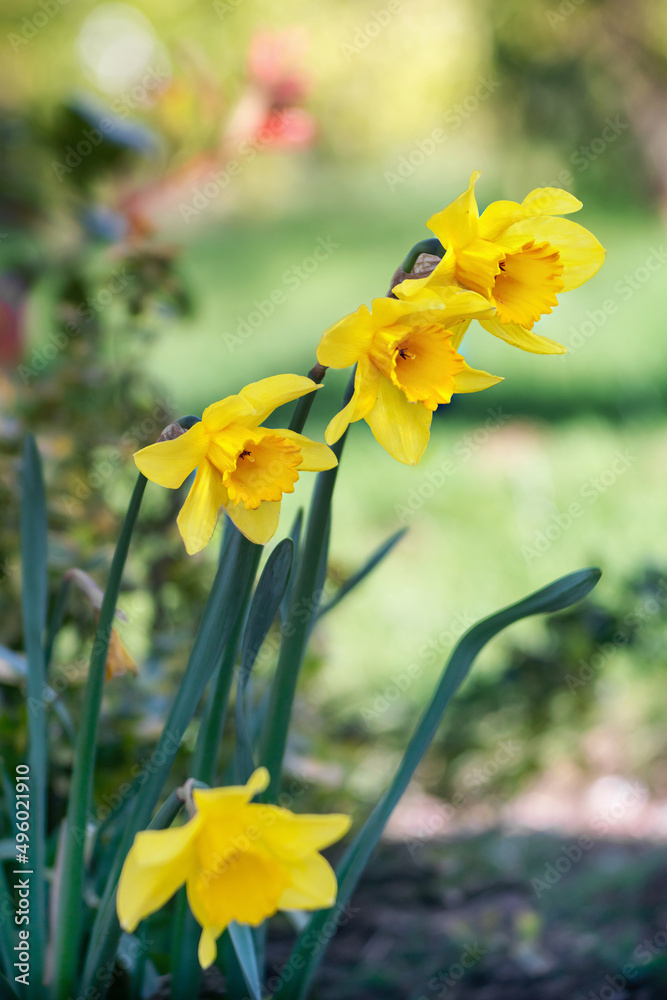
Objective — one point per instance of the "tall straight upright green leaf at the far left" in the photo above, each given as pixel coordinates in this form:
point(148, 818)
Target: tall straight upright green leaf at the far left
point(34, 599)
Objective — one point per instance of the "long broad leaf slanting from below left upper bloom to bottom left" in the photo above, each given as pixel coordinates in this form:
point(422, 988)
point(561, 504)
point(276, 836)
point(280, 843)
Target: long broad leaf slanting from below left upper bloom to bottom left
point(223, 607)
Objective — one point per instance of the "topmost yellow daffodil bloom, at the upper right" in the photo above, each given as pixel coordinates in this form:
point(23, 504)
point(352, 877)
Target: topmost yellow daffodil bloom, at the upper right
point(519, 256)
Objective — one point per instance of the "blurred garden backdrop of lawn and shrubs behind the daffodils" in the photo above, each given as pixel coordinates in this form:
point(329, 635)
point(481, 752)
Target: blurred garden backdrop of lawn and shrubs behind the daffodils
point(168, 166)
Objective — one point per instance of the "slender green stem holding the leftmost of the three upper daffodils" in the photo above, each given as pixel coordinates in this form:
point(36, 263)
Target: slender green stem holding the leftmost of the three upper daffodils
point(68, 928)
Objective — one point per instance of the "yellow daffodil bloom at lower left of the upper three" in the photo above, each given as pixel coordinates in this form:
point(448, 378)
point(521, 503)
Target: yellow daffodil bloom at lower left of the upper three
point(240, 466)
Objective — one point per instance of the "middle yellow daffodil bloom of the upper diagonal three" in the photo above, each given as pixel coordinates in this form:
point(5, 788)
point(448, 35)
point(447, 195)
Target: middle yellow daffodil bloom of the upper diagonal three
point(407, 364)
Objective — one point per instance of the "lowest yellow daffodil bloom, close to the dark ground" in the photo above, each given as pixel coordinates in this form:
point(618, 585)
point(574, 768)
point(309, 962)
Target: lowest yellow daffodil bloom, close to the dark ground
point(239, 860)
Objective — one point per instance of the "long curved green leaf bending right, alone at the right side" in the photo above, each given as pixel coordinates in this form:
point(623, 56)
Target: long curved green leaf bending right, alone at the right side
point(558, 595)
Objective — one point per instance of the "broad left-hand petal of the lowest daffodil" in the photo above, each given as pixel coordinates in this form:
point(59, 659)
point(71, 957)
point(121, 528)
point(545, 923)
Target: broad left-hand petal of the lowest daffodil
point(156, 866)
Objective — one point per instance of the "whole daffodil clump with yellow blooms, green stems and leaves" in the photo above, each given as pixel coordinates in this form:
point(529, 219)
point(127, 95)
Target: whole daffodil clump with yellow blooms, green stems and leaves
point(242, 861)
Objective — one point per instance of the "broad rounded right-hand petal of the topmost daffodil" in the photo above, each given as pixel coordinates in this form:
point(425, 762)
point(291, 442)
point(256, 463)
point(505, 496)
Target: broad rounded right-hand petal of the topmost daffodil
point(581, 254)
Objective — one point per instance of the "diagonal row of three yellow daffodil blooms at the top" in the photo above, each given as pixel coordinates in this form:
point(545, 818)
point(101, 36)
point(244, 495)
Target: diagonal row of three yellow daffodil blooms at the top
point(504, 269)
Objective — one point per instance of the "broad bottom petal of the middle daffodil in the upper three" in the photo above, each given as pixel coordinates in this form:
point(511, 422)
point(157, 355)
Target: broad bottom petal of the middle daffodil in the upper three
point(402, 428)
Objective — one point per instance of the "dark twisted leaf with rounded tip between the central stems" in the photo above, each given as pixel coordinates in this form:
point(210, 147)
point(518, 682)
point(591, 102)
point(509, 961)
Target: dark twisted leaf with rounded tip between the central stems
point(263, 610)
